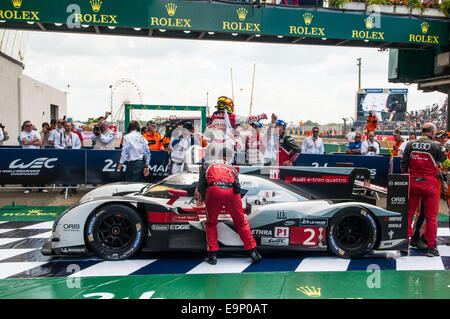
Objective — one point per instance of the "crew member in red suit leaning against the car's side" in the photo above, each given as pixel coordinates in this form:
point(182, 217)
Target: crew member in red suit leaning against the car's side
point(220, 190)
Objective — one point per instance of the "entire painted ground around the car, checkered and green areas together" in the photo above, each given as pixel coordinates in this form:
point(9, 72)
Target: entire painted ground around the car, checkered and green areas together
point(26, 274)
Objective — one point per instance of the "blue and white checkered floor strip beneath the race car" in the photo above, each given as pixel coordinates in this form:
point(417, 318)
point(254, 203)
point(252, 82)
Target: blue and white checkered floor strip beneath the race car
point(20, 257)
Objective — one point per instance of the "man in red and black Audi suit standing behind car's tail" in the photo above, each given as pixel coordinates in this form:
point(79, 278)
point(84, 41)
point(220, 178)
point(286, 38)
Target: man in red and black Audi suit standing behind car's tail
point(420, 159)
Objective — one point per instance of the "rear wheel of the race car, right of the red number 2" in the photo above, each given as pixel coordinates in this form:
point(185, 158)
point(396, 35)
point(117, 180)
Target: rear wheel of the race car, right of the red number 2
point(352, 233)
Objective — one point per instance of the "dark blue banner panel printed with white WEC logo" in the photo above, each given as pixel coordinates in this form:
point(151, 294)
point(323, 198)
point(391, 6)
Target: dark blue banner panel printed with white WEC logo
point(19, 166)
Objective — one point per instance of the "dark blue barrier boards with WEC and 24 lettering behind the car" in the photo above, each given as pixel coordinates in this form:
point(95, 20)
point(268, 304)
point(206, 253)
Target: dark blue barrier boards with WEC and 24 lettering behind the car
point(68, 167)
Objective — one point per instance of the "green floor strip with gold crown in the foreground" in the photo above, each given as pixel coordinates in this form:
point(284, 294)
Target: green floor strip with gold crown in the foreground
point(371, 284)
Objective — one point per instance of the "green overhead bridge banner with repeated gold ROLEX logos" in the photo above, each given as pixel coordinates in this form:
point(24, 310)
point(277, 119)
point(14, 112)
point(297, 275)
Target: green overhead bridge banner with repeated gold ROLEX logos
point(230, 18)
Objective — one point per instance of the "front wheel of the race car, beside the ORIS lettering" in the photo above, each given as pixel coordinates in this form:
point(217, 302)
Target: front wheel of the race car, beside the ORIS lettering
point(115, 232)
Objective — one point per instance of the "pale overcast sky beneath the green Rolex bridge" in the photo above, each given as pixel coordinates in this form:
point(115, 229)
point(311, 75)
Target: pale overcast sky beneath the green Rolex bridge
point(297, 82)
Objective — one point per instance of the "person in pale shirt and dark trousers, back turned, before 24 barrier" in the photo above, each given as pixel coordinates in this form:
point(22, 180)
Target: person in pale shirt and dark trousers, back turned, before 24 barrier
point(135, 150)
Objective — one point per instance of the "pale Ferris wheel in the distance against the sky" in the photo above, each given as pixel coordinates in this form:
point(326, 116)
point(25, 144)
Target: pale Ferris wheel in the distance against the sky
point(125, 91)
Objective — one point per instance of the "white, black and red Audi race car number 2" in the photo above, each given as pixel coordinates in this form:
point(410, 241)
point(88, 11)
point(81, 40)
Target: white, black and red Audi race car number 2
point(288, 208)
